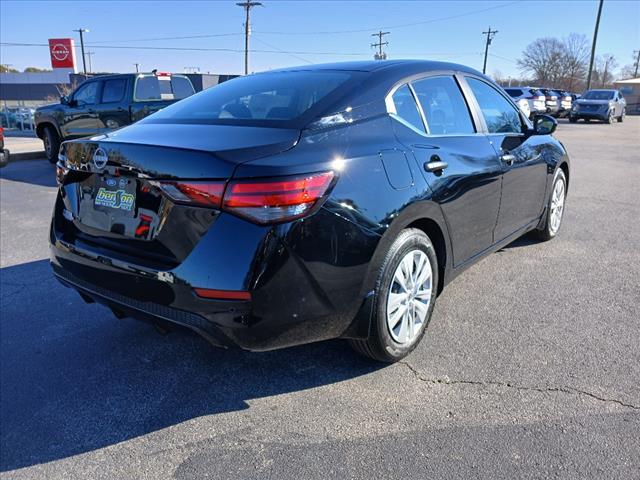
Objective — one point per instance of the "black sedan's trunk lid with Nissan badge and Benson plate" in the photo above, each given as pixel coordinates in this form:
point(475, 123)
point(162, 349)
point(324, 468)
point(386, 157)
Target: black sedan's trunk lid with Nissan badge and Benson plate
point(124, 191)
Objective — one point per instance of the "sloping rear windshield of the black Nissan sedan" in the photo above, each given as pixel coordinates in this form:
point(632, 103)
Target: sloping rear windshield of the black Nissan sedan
point(267, 98)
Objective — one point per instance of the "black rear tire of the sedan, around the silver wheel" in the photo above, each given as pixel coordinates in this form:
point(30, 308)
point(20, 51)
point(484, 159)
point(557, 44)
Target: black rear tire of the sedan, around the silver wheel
point(380, 345)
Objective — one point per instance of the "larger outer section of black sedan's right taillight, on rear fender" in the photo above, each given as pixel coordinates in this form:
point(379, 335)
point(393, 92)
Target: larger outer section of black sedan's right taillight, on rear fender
point(276, 200)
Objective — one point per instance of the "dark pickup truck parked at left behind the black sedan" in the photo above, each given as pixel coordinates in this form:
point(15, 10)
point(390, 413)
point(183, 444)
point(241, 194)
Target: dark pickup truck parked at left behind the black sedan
point(104, 103)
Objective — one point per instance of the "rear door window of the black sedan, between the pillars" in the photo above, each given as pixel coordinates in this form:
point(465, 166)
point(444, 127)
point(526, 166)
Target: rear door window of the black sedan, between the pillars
point(444, 106)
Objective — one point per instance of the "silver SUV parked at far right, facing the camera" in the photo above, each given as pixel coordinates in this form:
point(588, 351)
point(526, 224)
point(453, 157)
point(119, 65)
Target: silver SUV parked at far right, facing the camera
point(605, 105)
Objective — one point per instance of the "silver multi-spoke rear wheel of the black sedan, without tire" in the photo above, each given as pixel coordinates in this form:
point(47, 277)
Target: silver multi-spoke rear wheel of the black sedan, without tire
point(409, 297)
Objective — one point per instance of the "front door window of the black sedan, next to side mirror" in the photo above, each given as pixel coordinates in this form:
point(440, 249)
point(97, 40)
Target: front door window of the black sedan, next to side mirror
point(499, 115)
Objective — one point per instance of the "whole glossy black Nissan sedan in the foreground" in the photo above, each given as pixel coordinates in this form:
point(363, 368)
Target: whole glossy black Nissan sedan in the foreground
point(306, 204)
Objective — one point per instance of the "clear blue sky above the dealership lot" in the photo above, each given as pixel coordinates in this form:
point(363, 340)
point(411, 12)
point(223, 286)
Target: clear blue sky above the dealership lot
point(287, 33)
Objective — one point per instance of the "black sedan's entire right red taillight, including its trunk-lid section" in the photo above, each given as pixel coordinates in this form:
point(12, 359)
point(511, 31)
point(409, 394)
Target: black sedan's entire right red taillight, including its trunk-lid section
point(264, 201)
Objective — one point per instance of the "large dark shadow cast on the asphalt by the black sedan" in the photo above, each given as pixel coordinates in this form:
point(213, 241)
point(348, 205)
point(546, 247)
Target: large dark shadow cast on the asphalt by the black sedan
point(74, 379)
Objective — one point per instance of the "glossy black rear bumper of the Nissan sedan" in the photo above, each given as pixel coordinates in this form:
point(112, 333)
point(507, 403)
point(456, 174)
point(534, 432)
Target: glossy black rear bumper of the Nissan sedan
point(298, 295)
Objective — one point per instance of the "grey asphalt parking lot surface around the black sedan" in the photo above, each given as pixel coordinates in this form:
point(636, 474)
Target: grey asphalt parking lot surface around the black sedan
point(530, 367)
